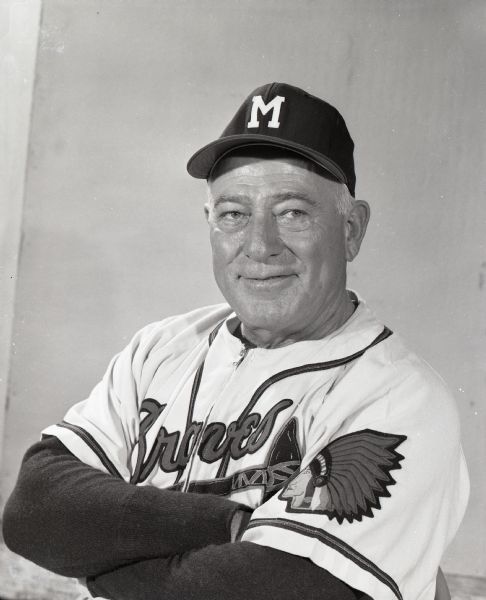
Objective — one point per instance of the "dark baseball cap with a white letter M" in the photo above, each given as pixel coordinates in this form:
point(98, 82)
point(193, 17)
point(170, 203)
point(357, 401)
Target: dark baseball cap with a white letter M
point(286, 117)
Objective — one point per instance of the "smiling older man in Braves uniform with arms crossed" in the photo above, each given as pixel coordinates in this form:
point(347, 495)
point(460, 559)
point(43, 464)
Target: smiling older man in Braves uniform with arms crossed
point(285, 444)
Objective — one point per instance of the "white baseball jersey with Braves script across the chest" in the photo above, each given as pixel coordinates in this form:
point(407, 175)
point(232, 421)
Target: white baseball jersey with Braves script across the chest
point(347, 448)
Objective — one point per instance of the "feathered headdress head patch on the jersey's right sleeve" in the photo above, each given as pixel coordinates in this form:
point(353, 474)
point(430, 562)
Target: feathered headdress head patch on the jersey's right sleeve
point(347, 478)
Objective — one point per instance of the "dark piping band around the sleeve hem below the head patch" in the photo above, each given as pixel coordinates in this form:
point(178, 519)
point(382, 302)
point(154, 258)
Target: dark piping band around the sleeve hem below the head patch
point(335, 543)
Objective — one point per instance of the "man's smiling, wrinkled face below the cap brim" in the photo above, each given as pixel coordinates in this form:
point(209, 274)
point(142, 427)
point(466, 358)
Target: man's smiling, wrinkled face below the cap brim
point(278, 242)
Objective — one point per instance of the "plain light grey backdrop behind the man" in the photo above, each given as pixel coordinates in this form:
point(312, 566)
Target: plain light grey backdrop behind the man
point(104, 232)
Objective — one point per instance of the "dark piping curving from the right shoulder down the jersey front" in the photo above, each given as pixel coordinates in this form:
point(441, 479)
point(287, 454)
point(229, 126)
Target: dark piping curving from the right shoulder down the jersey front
point(308, 368)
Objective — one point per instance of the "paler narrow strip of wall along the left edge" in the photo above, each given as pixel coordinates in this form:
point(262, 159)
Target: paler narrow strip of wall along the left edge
point(19, 27)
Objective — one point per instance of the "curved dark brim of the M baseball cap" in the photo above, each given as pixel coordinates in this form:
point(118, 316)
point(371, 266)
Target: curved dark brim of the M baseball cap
point(203, 161)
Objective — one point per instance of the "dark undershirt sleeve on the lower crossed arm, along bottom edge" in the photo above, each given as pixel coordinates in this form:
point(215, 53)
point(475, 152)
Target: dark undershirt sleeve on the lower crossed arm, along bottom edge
point(238, 571)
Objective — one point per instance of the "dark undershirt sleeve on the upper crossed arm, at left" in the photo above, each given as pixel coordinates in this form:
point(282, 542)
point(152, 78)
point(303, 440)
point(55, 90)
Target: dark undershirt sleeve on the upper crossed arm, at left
point(77, 521)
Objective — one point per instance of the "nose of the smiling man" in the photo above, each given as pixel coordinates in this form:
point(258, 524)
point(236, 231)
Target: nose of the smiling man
point(262, 237)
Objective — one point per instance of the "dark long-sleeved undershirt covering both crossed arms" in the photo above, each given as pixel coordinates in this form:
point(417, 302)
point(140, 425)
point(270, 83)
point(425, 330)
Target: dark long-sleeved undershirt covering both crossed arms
point(143, 543)
